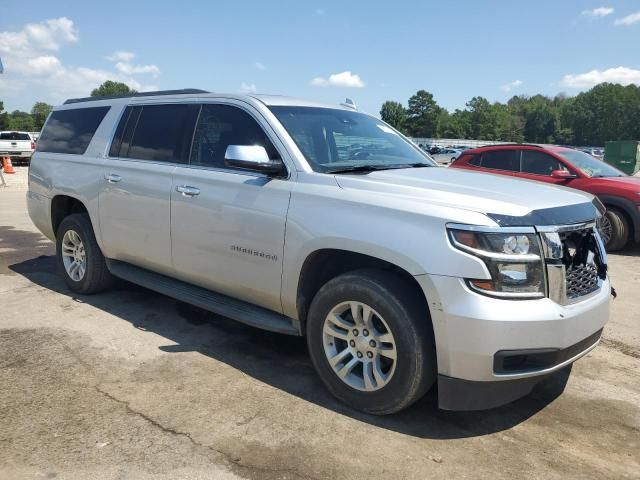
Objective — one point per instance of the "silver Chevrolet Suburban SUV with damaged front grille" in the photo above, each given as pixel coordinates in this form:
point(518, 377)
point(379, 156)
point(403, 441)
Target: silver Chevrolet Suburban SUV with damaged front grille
point(318, 220)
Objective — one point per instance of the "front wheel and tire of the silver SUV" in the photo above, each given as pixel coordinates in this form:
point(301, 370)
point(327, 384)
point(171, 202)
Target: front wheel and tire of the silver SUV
point(398, 310)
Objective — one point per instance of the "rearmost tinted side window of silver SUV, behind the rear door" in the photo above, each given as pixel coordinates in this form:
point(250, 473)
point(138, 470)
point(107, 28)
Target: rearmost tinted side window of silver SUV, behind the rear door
point(70, 131)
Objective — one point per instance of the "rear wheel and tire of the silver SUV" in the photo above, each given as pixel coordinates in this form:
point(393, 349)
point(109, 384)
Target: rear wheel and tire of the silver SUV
point(95, 277)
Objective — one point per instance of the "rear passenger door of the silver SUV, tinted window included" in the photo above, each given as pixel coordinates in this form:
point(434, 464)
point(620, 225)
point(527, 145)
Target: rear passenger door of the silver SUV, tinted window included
point(134, 203)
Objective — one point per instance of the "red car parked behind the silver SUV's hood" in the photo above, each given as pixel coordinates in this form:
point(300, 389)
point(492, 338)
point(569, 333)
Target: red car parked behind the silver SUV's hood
point(573, 168)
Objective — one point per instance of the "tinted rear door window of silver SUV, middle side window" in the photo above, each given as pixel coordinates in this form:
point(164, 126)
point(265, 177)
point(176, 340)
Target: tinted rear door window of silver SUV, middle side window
point(155, 132)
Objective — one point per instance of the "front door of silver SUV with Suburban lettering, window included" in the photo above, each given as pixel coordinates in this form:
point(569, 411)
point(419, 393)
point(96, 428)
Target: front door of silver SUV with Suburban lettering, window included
point(227, 224)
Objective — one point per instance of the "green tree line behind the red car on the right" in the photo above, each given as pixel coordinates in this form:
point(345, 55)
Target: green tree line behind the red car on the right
point(605, 112)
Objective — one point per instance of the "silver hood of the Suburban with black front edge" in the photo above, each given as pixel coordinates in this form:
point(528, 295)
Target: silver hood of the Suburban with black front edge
point(495, 195)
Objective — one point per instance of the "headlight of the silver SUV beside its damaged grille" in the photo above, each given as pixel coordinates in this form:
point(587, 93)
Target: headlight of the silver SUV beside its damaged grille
point(514, 261)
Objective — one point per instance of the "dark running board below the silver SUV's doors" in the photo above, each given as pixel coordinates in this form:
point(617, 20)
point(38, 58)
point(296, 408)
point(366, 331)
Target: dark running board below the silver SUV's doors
point(206, 299)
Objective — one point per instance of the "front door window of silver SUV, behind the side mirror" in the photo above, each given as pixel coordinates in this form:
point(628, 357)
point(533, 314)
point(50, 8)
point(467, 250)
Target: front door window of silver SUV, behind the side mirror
point(220, 126)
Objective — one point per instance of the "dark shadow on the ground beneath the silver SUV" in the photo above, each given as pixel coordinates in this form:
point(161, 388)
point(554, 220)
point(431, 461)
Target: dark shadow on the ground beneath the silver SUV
point(280, 360)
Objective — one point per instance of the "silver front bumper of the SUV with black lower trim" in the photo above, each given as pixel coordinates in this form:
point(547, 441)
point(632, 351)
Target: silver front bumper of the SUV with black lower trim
point(475, 333)
